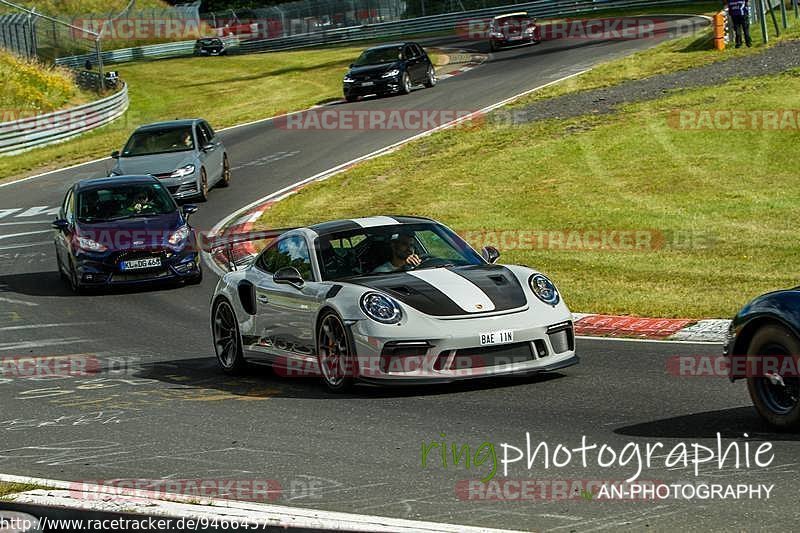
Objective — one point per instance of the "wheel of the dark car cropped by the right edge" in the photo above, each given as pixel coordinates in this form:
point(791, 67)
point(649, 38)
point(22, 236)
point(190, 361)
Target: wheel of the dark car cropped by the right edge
point(776, 397)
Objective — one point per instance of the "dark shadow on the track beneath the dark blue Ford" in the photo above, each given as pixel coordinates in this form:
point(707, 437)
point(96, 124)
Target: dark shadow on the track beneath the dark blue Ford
point(50, 284)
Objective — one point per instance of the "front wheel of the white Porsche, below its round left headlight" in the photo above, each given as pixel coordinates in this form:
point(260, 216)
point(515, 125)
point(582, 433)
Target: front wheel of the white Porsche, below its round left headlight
point(336, 359)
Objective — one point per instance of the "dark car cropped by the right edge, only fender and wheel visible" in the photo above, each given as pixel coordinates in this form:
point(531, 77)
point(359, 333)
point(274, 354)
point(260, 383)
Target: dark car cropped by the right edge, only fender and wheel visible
point(763, 346)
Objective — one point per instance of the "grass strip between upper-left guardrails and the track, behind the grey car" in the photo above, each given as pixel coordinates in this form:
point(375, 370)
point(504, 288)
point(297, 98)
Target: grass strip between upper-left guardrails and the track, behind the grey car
point(224, 90)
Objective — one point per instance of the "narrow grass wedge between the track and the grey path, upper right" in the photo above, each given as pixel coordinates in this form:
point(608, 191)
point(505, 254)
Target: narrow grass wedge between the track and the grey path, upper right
point(677, 54)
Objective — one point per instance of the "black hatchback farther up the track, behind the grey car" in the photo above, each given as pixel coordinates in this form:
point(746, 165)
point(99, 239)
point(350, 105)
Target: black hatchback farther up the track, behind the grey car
point(389, 69)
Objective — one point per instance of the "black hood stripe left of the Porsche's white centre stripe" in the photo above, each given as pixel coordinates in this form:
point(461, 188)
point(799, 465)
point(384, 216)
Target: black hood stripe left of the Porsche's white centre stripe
point(412, 291)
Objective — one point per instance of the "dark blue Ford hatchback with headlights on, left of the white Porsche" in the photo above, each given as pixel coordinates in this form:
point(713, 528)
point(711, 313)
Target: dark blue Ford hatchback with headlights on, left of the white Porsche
point(124, 230)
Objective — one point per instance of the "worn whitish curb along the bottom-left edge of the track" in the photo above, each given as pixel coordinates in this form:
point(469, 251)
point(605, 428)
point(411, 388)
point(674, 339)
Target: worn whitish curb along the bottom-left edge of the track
point(79, 496)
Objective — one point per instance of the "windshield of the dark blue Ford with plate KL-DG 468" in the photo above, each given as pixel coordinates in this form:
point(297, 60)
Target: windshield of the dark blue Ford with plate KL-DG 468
point(117, 202)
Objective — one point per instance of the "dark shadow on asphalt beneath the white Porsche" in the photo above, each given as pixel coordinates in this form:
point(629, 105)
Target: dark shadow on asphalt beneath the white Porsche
point(259, 381)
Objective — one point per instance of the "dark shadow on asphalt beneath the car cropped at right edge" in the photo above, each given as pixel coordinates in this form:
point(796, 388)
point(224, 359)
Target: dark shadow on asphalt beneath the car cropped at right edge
point(729, 423)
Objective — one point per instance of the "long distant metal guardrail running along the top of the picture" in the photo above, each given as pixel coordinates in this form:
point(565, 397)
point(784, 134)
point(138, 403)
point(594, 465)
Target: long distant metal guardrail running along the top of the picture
point(415, 26)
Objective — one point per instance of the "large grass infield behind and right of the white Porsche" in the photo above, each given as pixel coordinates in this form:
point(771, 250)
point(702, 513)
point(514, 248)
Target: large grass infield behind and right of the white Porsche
point(729, 217)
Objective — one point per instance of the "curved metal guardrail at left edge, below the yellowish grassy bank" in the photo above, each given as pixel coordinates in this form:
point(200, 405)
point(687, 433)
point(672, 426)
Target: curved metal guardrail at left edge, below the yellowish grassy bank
point(40, 130)
